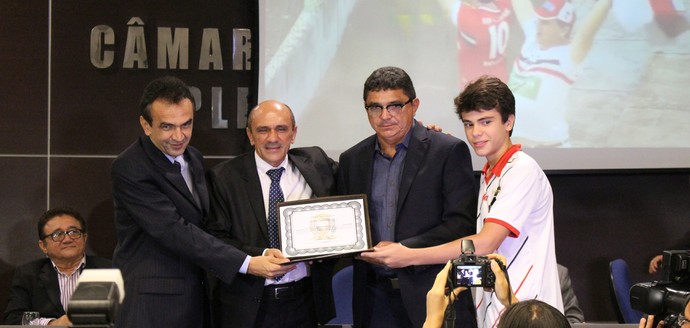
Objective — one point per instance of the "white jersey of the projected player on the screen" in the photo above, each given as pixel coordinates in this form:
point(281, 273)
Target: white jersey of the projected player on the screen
point(541, 80)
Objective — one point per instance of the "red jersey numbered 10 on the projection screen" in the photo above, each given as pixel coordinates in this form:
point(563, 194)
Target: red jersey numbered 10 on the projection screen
point(483, 33)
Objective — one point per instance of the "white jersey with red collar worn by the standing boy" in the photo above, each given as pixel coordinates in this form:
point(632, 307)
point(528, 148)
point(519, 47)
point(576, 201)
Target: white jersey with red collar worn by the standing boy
point(517, 195)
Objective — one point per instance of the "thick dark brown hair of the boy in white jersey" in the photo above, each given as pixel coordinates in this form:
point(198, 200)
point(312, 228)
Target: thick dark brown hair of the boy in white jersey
point(486, 93)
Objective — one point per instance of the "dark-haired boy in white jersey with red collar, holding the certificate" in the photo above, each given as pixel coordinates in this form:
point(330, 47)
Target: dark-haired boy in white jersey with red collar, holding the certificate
point(515, 206)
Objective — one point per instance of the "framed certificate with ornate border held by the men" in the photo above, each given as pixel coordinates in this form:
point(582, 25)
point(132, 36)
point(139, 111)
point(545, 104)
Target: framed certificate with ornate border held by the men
point(324, 227)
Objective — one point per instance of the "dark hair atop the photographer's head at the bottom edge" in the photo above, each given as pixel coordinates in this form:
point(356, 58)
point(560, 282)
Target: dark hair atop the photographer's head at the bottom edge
point(532, 314)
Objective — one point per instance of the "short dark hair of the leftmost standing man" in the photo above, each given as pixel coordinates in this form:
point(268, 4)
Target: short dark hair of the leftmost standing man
point(167, 88)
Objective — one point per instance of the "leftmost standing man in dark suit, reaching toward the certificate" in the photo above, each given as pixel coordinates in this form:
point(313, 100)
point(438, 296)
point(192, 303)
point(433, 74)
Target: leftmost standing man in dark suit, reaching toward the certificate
point(160, 198)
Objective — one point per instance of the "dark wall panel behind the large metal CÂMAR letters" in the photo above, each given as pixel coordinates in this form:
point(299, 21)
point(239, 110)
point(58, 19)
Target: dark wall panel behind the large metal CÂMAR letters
point(103, 102)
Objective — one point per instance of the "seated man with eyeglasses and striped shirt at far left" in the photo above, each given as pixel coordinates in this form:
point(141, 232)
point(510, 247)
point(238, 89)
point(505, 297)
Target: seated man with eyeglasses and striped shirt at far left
point(46, 285)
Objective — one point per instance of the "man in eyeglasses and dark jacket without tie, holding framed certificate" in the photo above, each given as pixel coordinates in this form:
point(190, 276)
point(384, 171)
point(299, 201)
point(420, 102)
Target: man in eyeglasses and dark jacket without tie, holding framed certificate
point(421, 192)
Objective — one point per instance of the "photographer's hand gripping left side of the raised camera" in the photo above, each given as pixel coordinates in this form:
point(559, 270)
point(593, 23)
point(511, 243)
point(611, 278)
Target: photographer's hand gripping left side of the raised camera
point(437, 299)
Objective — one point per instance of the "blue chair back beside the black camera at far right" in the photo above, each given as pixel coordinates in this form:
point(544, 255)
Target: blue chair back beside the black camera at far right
point(620, 288)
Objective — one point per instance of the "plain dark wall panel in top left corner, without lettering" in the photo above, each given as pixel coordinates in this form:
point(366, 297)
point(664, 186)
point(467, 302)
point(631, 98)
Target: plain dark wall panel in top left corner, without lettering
point(24, 81)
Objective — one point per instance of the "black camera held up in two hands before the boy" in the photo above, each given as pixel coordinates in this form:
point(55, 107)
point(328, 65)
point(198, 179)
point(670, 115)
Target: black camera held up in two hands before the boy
point(471, 270)
